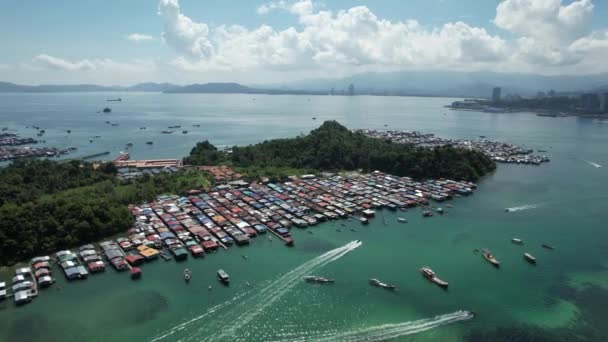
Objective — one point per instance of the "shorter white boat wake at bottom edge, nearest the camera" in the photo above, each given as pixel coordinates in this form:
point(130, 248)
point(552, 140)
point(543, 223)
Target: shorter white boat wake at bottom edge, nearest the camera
point(389, 331)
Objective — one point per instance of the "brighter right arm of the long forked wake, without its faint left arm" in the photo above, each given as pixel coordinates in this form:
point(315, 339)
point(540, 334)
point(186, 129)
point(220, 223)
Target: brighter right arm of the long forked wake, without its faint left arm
point(255, 305)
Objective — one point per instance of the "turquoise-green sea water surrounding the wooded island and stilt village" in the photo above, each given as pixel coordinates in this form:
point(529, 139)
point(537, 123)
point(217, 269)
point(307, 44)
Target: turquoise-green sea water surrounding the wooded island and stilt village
point(564, 297)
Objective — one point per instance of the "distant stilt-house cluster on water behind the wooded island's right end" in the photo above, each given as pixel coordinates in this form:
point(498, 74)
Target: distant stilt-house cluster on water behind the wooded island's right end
point(497, 151)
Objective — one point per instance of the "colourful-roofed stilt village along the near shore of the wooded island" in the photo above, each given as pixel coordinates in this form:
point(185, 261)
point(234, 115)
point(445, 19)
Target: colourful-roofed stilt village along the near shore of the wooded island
point(177, 227)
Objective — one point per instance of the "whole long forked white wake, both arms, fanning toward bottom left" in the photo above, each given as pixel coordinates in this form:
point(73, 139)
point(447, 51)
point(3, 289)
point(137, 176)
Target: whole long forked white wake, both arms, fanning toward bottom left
point(248, 309)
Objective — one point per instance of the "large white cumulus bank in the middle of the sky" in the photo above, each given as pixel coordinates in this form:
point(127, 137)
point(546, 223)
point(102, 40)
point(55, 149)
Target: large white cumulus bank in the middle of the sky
point(353, 37)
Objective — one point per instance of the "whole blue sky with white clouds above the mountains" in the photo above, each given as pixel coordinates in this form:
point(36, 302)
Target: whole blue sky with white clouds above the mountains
point(122, 42)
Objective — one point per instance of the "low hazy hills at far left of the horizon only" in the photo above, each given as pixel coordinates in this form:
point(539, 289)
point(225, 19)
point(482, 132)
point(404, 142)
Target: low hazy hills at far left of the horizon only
point(6, 87)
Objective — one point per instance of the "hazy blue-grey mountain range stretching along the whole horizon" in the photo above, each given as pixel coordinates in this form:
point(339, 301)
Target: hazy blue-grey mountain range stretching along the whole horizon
point(400, 83)
